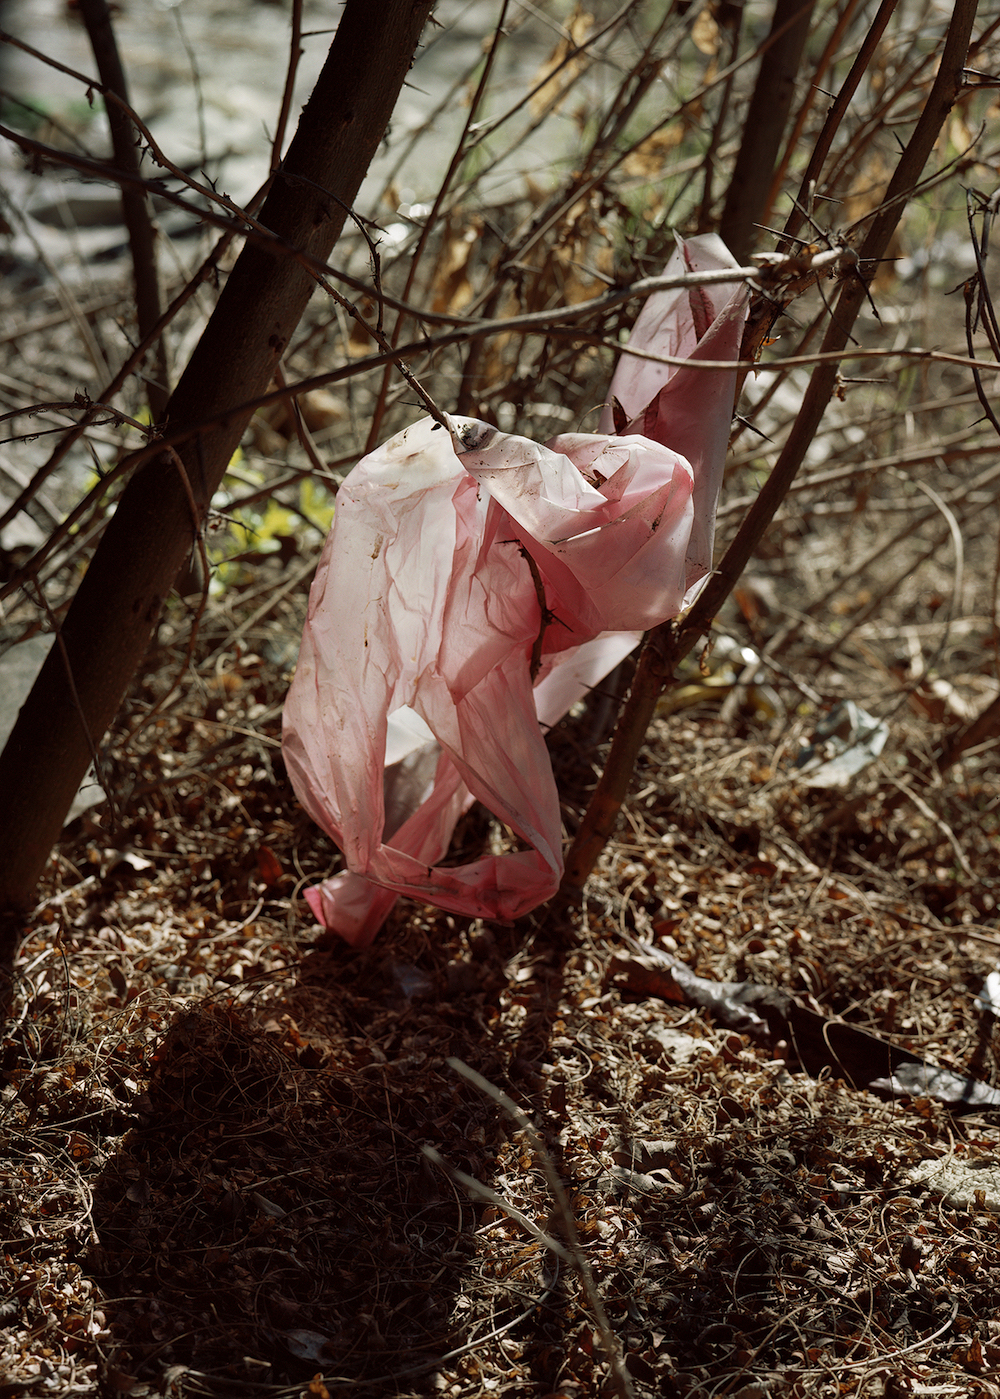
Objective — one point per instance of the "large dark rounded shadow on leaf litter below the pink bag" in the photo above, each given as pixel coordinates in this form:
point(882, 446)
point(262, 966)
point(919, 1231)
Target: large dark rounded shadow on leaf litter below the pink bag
point(273, 1215)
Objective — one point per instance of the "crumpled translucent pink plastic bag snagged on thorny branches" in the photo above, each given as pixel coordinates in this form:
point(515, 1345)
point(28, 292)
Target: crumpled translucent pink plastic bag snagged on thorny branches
point(429, 668)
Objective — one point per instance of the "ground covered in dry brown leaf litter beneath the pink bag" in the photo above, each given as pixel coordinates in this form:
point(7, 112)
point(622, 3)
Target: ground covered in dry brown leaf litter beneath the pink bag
point(215, 1124)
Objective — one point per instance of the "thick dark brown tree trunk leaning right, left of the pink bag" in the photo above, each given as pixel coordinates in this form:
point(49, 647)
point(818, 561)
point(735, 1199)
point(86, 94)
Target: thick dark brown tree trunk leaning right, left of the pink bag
point(108, 629)
